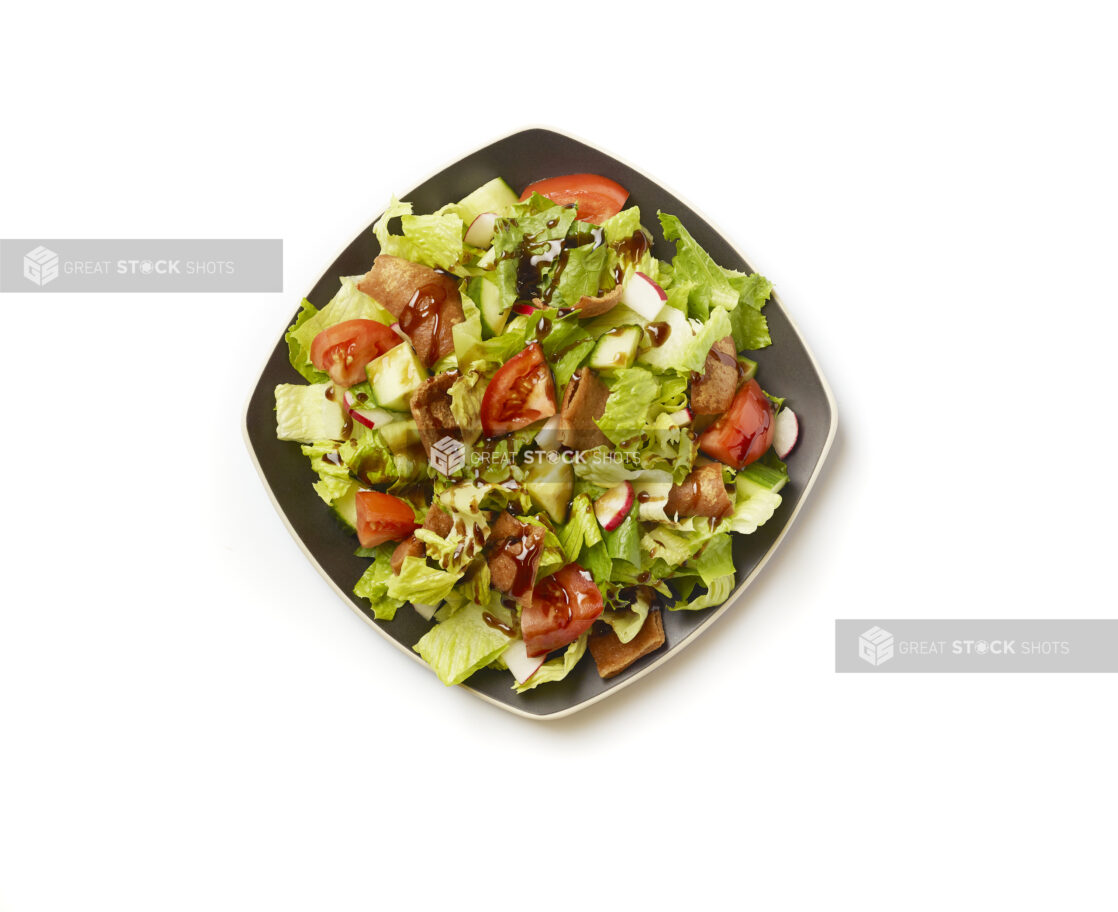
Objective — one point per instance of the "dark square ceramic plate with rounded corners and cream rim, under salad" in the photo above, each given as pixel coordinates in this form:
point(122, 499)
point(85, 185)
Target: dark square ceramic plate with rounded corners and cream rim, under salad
point(787, 367)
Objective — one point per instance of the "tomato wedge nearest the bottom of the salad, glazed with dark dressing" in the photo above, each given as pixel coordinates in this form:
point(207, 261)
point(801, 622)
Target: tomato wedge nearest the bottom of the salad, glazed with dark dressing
point(564, 607)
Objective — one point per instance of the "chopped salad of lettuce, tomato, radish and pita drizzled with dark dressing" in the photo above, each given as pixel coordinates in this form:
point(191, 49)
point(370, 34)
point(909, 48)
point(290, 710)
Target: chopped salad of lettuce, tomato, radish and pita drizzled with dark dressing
point(542, 434)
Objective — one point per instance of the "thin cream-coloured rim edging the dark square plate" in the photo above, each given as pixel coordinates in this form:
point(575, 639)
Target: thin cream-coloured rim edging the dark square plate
point(735, 596)
